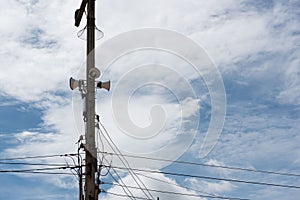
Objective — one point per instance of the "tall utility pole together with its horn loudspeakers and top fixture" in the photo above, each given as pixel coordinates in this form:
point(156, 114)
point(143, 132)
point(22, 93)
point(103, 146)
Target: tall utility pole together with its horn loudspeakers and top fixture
point(92, 173)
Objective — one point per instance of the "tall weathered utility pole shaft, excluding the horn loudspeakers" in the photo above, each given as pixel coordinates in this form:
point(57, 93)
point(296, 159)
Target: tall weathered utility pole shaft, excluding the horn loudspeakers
point(91, 192)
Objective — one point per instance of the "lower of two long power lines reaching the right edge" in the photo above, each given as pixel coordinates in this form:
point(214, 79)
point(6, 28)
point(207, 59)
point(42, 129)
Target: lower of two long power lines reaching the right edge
point(211, 178)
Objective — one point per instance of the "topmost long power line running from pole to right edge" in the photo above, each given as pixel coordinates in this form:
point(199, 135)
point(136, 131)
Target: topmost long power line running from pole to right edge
point(207, 165)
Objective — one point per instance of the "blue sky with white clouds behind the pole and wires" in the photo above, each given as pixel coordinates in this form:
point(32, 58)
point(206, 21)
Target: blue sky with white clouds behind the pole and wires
point(253, 45)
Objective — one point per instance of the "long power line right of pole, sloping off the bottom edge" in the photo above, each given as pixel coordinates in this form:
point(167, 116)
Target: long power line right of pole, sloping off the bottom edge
point(180, 193)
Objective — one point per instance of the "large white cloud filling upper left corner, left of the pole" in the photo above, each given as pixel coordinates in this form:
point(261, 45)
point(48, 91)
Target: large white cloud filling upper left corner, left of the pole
point(35, 57)
